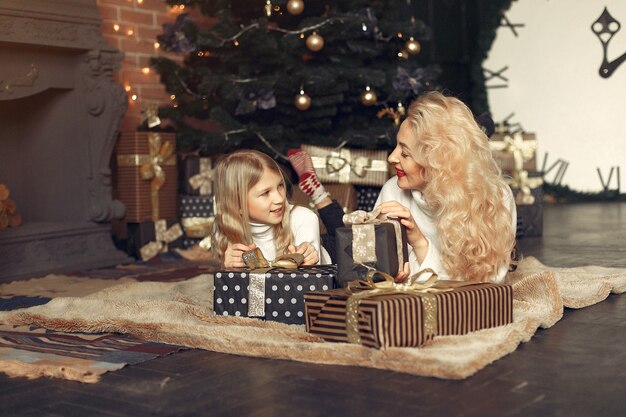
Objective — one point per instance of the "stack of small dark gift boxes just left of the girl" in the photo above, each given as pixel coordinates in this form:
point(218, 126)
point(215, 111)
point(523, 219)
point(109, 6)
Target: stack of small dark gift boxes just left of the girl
point(196, 199)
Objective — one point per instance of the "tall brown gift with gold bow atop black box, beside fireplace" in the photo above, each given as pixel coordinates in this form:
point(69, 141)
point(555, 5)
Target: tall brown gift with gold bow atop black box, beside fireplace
point(147, 185)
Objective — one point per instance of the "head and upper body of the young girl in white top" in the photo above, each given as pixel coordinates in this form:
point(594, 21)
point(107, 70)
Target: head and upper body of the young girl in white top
point(252, 211)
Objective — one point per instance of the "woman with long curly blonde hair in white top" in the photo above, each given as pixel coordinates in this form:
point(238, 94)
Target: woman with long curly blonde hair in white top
point(449, 193)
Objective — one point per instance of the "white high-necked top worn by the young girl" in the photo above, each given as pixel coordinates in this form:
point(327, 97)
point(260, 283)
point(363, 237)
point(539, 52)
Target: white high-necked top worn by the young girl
point(305, 227)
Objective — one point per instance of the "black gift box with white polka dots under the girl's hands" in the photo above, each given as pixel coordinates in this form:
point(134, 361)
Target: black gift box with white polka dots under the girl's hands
point(276, 295)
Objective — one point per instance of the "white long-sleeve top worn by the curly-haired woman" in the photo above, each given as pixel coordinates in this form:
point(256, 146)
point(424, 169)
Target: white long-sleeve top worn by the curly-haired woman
point(423, 216)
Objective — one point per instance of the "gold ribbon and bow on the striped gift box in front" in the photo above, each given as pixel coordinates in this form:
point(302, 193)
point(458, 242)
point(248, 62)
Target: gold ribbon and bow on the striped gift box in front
point(424, 290)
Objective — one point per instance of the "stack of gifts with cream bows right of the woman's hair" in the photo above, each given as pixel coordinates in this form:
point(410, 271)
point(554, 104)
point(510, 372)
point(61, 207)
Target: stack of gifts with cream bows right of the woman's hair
point(515, 153)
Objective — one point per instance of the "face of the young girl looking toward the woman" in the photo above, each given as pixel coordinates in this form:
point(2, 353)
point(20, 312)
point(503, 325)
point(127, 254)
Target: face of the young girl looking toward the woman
point(266, 199)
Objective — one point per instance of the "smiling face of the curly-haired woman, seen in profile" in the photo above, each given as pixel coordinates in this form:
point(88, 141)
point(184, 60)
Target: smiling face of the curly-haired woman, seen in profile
point(410, 174)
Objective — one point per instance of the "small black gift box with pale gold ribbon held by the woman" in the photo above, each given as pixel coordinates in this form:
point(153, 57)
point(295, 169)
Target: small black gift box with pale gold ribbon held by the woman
point(370, 241)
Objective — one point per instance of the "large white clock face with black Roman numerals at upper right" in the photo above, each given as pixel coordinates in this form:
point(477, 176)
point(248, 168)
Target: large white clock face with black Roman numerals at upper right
point(555, 89)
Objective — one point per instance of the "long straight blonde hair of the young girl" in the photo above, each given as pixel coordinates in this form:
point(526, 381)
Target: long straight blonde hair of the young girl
point(235, 175)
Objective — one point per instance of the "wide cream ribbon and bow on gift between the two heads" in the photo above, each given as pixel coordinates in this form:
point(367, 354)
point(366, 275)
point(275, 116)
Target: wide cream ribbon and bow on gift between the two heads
point(340, 162)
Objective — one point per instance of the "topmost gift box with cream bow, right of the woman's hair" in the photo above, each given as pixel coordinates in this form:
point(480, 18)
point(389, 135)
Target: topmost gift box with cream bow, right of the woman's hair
point(502, 150)
